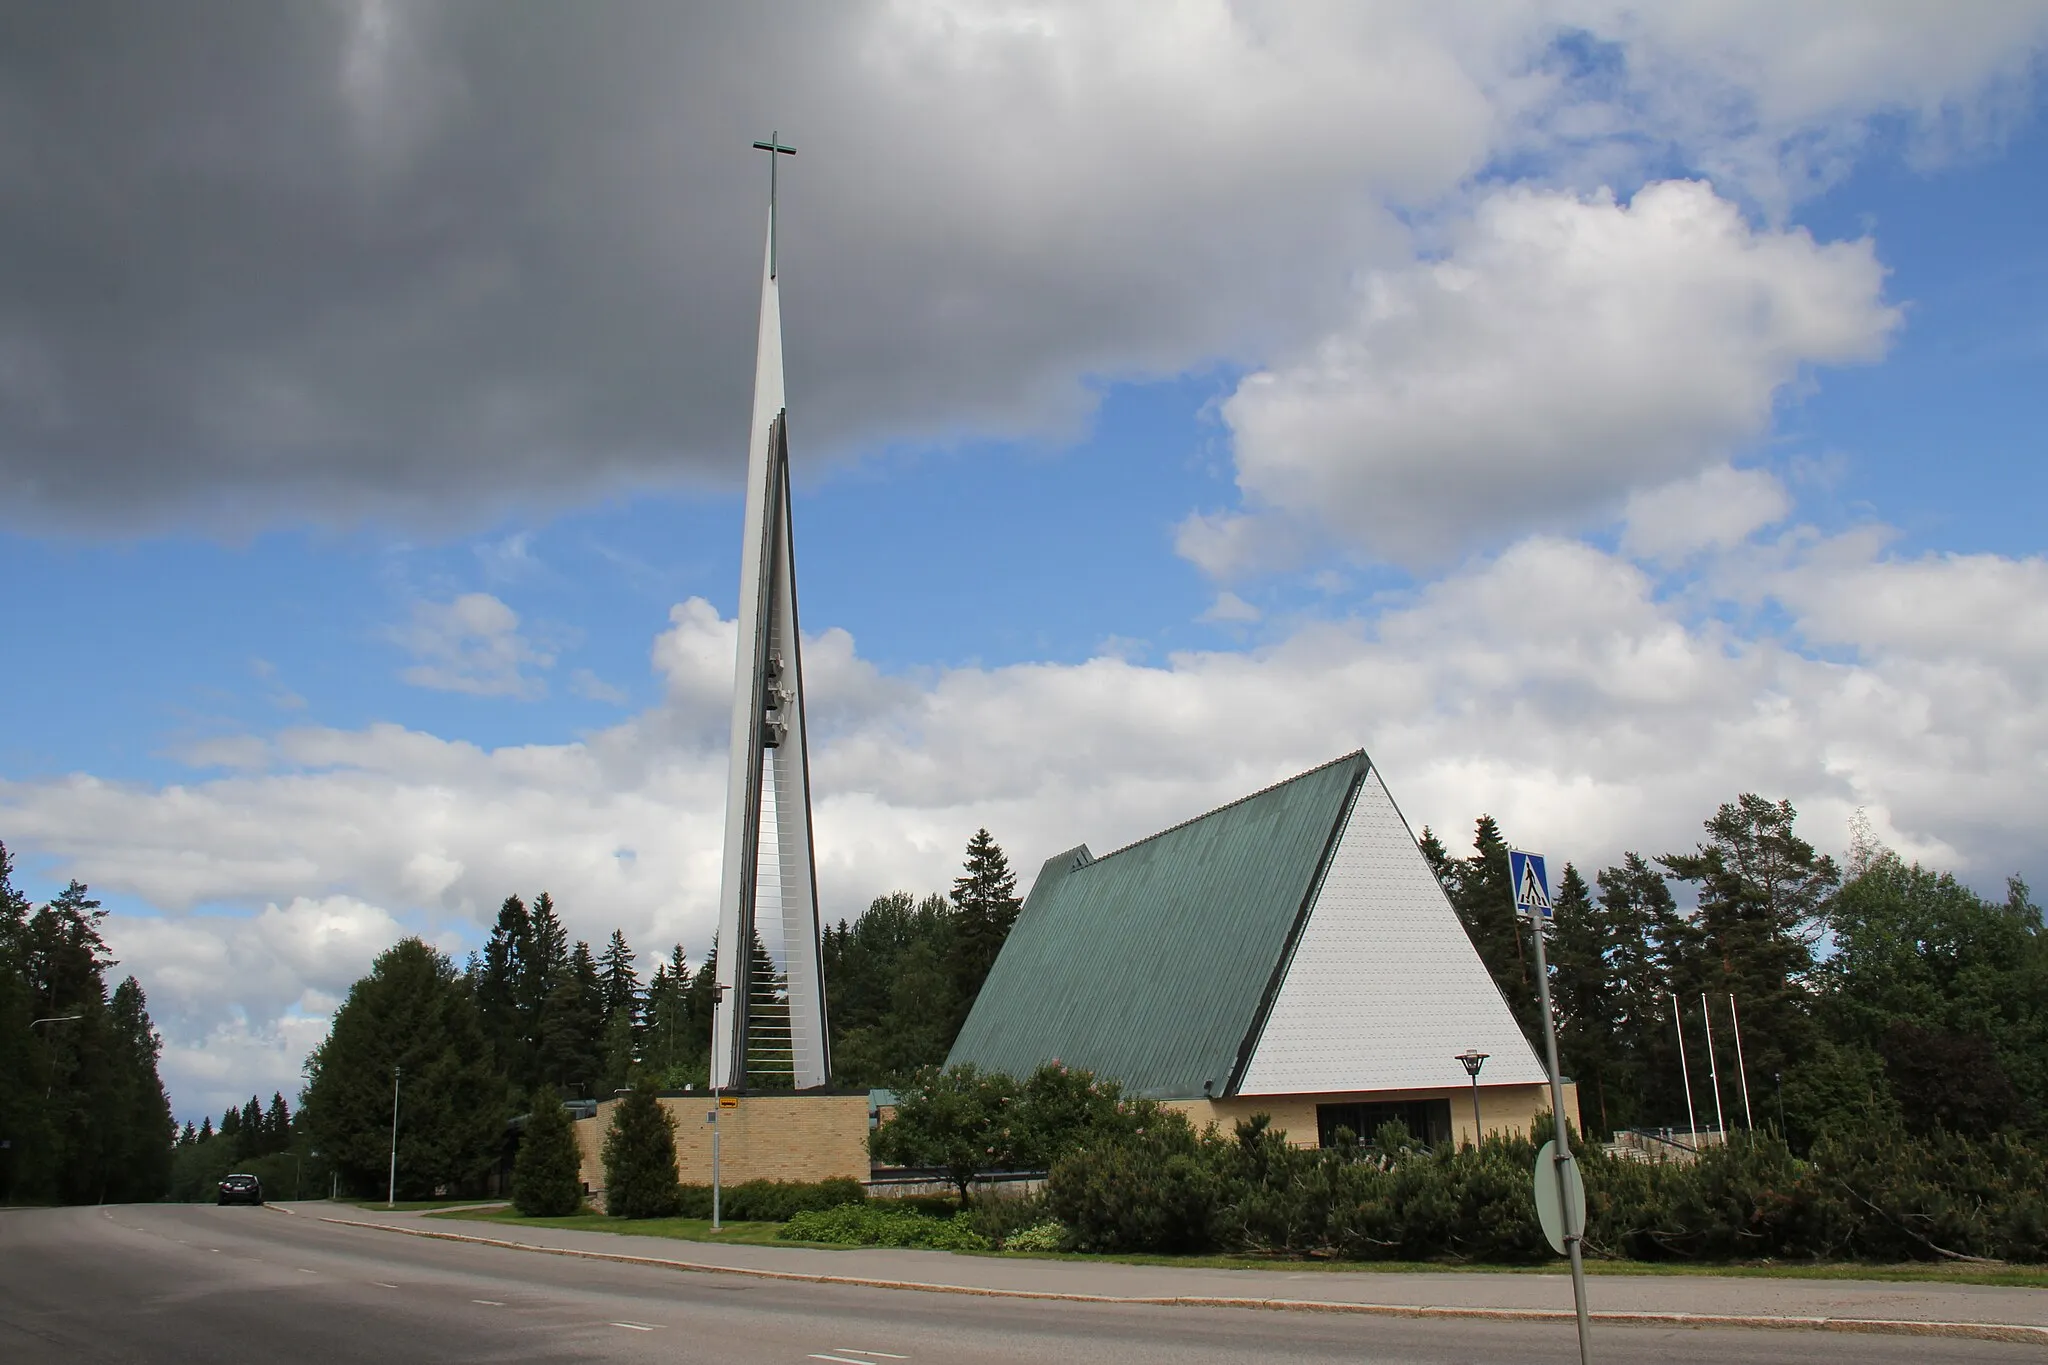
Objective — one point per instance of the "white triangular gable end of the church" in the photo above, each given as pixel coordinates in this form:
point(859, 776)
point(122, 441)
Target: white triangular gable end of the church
point(1385, 989)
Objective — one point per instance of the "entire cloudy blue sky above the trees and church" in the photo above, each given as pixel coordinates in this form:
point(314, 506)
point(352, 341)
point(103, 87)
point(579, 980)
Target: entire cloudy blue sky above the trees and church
point(1590, 410)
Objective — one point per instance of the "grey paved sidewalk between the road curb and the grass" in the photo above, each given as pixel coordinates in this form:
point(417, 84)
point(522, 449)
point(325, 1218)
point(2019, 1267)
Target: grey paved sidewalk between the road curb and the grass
point(1824, 1305)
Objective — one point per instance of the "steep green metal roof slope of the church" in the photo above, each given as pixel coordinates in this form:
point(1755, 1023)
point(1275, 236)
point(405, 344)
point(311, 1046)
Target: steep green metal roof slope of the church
point(1156, 963)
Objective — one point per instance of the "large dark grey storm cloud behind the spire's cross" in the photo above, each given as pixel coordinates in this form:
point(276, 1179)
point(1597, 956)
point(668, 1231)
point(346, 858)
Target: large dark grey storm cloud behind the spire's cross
point(333, 261)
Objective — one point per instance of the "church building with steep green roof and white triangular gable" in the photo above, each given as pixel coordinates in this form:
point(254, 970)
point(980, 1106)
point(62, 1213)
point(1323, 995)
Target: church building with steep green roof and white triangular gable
point(1287, 955)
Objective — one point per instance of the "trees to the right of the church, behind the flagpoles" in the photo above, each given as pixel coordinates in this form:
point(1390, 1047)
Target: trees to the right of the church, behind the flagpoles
point(1883, 992)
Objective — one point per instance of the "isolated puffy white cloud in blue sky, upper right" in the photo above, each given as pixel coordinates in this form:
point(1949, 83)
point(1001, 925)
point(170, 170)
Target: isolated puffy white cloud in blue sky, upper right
point(1566, 353)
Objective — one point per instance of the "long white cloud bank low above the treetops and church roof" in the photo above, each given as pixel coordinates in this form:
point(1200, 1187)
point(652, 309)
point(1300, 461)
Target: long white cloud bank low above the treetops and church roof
point(1551, 687)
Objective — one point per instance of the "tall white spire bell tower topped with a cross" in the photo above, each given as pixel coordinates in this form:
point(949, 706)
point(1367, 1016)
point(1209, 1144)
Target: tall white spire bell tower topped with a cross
point(771, 877)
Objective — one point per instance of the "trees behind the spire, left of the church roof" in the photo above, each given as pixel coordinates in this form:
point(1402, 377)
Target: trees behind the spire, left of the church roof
point(534, 1014)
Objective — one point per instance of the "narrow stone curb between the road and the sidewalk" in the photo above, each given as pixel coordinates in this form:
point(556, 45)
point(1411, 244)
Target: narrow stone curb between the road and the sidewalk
point(1891, 1327)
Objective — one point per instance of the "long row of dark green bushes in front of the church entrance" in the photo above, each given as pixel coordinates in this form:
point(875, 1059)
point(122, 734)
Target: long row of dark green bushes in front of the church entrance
point(1875, 1194)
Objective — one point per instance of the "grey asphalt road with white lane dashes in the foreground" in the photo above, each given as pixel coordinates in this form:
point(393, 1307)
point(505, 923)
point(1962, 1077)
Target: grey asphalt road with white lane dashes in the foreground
point(230, 1286)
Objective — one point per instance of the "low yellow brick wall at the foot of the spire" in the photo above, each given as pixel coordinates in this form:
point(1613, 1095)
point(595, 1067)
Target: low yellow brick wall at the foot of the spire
point(763, 1139)
